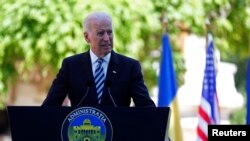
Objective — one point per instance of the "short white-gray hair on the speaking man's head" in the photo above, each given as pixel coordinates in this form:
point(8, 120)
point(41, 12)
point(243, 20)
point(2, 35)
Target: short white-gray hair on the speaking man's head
point(97, 16)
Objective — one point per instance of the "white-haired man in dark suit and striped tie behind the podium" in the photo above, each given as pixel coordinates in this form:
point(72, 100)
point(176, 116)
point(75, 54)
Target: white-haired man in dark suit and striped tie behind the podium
point(120, 80)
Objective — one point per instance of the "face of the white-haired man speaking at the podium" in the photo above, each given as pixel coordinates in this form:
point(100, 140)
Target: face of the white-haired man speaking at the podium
point(100, 36)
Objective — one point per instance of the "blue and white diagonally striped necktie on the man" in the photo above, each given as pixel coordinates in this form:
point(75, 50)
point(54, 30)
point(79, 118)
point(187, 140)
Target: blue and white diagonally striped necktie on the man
point(99, 79)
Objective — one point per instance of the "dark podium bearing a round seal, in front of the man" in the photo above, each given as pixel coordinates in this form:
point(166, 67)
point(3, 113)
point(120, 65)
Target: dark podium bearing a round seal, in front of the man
point(31, 123)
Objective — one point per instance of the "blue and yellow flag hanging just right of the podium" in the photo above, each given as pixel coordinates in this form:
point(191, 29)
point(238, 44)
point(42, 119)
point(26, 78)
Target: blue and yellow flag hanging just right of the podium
point(168, 88)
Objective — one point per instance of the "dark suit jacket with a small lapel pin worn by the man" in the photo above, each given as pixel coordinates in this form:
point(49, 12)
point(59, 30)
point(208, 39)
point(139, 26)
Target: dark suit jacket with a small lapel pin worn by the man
point(124, 75)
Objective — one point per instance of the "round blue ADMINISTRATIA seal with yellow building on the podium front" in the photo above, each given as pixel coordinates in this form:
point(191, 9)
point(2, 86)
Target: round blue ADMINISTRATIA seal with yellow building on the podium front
point(86, 124)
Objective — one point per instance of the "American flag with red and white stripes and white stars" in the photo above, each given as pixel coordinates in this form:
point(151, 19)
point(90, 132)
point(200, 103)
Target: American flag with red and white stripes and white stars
point(208, 111)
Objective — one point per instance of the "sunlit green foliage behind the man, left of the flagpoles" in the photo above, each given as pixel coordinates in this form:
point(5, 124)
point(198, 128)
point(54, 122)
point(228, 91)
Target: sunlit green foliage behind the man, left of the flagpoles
point(44, 32)
